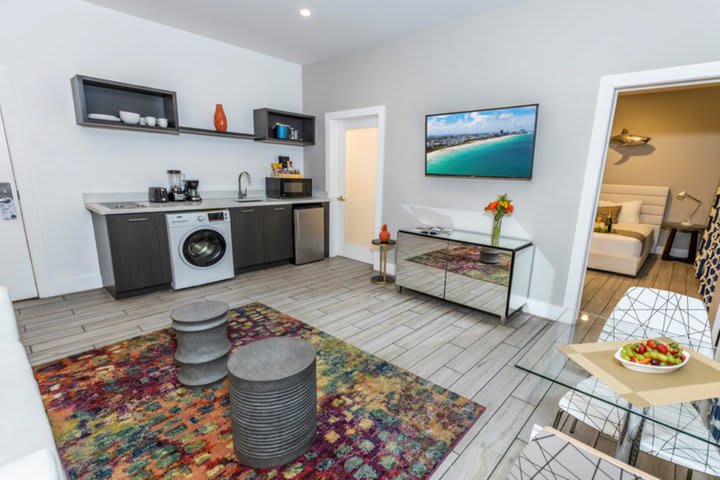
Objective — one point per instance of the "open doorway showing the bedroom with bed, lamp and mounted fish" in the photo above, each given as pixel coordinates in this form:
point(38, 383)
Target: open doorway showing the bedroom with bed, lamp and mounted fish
point(659, 182)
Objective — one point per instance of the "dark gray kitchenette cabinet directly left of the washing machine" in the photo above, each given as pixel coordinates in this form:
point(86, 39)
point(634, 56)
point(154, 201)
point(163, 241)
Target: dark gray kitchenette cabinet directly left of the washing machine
point(133, 252)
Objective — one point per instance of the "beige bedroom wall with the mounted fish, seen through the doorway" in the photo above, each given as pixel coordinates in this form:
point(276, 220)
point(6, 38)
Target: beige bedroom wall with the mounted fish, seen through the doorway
point(684, 152)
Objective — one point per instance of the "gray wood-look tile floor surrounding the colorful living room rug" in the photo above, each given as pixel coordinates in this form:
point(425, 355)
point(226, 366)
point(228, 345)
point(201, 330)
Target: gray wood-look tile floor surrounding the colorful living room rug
point(463, 350)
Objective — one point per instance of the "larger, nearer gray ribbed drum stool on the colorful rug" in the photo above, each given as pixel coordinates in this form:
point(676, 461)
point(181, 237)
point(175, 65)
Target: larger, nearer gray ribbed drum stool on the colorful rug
point(273, 401)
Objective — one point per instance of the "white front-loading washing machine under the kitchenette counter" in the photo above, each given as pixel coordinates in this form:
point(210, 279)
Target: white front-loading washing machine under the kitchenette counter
point(200, 247)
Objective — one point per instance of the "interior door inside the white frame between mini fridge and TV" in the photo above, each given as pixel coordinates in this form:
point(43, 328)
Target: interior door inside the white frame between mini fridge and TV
point(356, 184)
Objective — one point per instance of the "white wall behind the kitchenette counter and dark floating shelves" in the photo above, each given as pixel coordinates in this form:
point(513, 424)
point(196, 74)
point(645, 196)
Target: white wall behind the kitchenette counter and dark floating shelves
point(44, 43)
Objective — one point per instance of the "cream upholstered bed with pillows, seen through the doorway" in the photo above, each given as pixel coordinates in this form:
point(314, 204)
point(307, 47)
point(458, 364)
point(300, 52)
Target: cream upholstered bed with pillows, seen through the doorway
point(625, 252)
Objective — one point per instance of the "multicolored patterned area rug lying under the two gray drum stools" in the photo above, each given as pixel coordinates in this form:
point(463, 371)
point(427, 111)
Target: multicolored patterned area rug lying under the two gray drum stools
point(118, 412)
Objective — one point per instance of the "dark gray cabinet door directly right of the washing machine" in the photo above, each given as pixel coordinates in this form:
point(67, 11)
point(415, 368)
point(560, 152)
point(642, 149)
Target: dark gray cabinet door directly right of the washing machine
point(247, 236)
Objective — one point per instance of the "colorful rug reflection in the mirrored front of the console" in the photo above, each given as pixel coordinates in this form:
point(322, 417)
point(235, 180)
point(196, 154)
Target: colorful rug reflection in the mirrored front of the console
point(466, 261)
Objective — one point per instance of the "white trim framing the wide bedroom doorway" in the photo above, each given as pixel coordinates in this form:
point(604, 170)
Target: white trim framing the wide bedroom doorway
point(610, 86)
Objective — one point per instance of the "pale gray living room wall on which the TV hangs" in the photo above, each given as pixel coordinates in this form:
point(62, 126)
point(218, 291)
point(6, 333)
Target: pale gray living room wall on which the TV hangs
point(552, 52)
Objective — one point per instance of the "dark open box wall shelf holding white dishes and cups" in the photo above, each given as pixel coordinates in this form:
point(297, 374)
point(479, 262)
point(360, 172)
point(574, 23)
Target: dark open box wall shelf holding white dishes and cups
point(95, 95)
